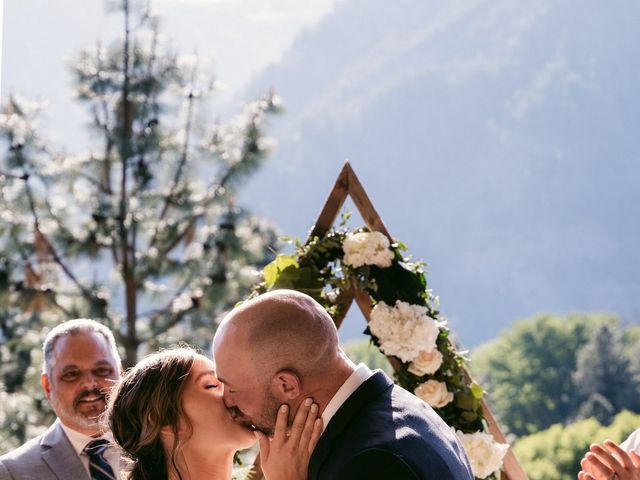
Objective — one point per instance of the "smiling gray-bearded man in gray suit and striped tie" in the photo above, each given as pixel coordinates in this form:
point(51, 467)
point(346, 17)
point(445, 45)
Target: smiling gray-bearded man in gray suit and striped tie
point(81, 364)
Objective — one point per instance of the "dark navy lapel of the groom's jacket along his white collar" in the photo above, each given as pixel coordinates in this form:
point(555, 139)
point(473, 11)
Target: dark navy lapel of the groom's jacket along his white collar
point(365, 393)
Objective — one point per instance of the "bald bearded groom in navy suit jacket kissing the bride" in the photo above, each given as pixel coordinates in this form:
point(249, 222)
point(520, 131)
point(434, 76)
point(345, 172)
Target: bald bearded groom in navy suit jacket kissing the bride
point(282, 347)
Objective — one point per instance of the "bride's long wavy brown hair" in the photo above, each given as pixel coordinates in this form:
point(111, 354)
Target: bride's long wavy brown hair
point(149, 397)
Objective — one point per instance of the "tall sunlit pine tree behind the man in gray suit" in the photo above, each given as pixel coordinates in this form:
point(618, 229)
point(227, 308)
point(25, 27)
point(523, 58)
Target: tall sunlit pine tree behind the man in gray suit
point(141, 232)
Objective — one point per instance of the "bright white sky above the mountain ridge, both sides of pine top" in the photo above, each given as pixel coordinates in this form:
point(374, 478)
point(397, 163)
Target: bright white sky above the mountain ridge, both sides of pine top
point(241, 37)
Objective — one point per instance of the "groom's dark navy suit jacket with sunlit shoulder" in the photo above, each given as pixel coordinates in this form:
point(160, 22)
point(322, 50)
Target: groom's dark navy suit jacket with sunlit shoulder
point(384, 432)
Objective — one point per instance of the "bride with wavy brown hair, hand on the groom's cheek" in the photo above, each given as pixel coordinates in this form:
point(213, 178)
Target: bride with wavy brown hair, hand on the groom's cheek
point(168, 416)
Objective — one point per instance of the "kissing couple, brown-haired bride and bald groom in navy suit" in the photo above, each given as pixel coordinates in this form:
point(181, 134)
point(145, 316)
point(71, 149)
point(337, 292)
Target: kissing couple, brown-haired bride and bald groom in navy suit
point(281, 376)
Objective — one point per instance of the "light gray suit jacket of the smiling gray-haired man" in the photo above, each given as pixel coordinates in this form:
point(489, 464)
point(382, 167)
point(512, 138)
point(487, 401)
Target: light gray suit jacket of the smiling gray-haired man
point(47, 457)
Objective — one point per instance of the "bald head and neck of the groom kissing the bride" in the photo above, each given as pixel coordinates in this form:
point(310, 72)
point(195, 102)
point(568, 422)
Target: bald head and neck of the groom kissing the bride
point(280, 347)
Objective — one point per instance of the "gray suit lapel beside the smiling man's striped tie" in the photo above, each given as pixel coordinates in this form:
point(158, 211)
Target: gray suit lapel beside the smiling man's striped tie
point(60, 456)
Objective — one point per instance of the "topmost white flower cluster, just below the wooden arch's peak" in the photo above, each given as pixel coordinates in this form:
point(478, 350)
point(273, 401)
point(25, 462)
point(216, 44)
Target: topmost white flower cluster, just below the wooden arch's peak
point(367, 248)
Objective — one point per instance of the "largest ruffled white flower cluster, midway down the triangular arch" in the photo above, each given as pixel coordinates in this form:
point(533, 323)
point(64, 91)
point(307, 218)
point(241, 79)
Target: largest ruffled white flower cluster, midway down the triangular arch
point(404, 330)
